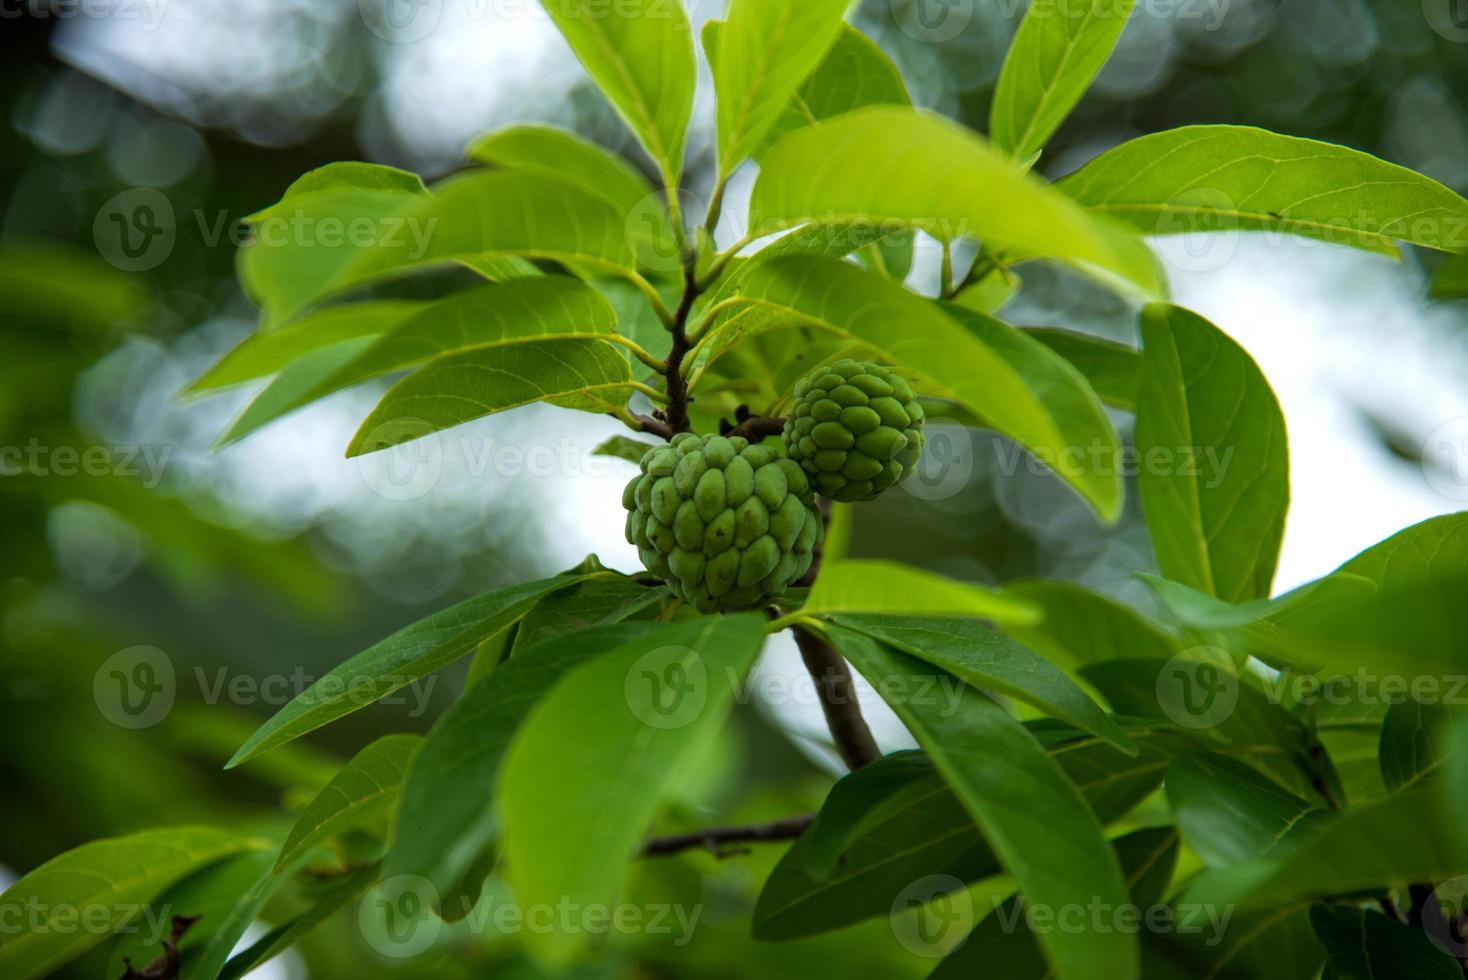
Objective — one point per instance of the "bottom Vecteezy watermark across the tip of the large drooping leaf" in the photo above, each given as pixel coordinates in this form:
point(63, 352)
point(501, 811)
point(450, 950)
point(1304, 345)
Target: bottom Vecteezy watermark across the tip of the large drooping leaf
point(399, 918)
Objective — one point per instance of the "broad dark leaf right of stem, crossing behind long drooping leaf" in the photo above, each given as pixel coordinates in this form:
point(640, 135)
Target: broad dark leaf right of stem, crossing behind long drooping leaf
point(927, 833)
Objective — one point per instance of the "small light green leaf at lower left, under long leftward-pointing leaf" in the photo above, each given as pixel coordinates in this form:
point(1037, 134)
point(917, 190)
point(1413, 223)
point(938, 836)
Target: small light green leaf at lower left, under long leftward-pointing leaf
point(365, 789)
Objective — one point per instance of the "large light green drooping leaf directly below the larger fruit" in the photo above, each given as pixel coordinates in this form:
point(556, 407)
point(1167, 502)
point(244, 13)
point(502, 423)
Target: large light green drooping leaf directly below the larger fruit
point(619, 739)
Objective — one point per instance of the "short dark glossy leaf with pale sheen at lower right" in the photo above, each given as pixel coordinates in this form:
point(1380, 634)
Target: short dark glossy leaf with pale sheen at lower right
point(1231, 815)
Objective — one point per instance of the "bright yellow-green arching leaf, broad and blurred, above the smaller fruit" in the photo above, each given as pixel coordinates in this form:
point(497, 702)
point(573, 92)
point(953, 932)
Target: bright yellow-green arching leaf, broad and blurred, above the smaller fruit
point(898, 165)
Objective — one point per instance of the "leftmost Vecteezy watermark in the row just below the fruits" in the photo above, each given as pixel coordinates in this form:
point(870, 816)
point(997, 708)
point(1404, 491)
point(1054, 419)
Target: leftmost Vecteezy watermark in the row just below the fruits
point(137, 689)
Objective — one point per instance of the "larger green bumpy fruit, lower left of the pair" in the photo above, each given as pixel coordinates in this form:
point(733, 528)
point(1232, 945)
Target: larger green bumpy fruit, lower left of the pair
point(726, 524)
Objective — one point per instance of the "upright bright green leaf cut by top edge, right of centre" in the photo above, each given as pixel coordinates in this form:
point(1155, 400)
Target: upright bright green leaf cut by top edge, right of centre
point(1058, 52)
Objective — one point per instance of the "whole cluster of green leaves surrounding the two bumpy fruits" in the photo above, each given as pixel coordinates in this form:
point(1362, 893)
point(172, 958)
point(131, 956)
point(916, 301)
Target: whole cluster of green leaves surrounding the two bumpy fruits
point(1326, 828)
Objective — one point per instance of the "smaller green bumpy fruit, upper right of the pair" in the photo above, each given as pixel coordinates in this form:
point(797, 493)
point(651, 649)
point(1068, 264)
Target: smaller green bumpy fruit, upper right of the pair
point(855, 429)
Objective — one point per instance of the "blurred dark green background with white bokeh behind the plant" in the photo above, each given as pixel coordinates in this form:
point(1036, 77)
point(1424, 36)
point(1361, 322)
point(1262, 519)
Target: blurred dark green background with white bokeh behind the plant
point(278, 557)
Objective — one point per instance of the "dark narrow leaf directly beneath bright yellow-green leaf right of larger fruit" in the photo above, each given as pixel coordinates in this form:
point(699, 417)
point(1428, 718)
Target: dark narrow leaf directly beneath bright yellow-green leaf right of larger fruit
point(990, 661)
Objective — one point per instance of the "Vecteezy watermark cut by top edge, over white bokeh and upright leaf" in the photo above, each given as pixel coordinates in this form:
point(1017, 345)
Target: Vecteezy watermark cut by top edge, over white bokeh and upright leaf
point(409, 21)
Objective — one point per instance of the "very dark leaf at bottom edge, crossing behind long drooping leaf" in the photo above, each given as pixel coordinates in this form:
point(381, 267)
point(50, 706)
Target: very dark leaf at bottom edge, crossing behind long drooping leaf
point(1003, 944)
